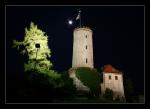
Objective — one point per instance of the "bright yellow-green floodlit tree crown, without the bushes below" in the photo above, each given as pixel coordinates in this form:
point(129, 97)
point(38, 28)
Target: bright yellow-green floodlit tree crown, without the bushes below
point(34, 36)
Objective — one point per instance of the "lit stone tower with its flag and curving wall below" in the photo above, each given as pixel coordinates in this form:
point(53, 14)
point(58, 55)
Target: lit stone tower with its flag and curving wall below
point(82, 54)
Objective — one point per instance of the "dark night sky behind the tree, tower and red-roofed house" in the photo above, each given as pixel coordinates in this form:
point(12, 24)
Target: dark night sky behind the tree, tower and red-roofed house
point(118, 36)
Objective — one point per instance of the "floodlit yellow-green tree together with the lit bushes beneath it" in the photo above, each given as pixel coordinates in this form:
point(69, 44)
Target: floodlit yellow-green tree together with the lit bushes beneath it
point(35, 45)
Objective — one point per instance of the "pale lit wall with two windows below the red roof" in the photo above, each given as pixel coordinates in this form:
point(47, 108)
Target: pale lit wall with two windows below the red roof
point(113, 81)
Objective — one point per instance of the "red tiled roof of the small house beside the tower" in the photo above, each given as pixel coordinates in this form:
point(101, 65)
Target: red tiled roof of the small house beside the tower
point(110, 69)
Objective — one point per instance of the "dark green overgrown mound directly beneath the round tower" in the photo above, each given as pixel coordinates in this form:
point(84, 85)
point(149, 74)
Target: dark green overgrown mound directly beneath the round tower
point(90, 78)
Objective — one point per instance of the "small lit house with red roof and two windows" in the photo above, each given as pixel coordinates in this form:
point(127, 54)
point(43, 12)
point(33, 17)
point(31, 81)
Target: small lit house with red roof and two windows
point(112, 79)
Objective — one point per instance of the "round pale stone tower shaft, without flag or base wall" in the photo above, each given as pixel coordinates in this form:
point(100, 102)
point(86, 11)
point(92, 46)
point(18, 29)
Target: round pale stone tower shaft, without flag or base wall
point(82, 48)
